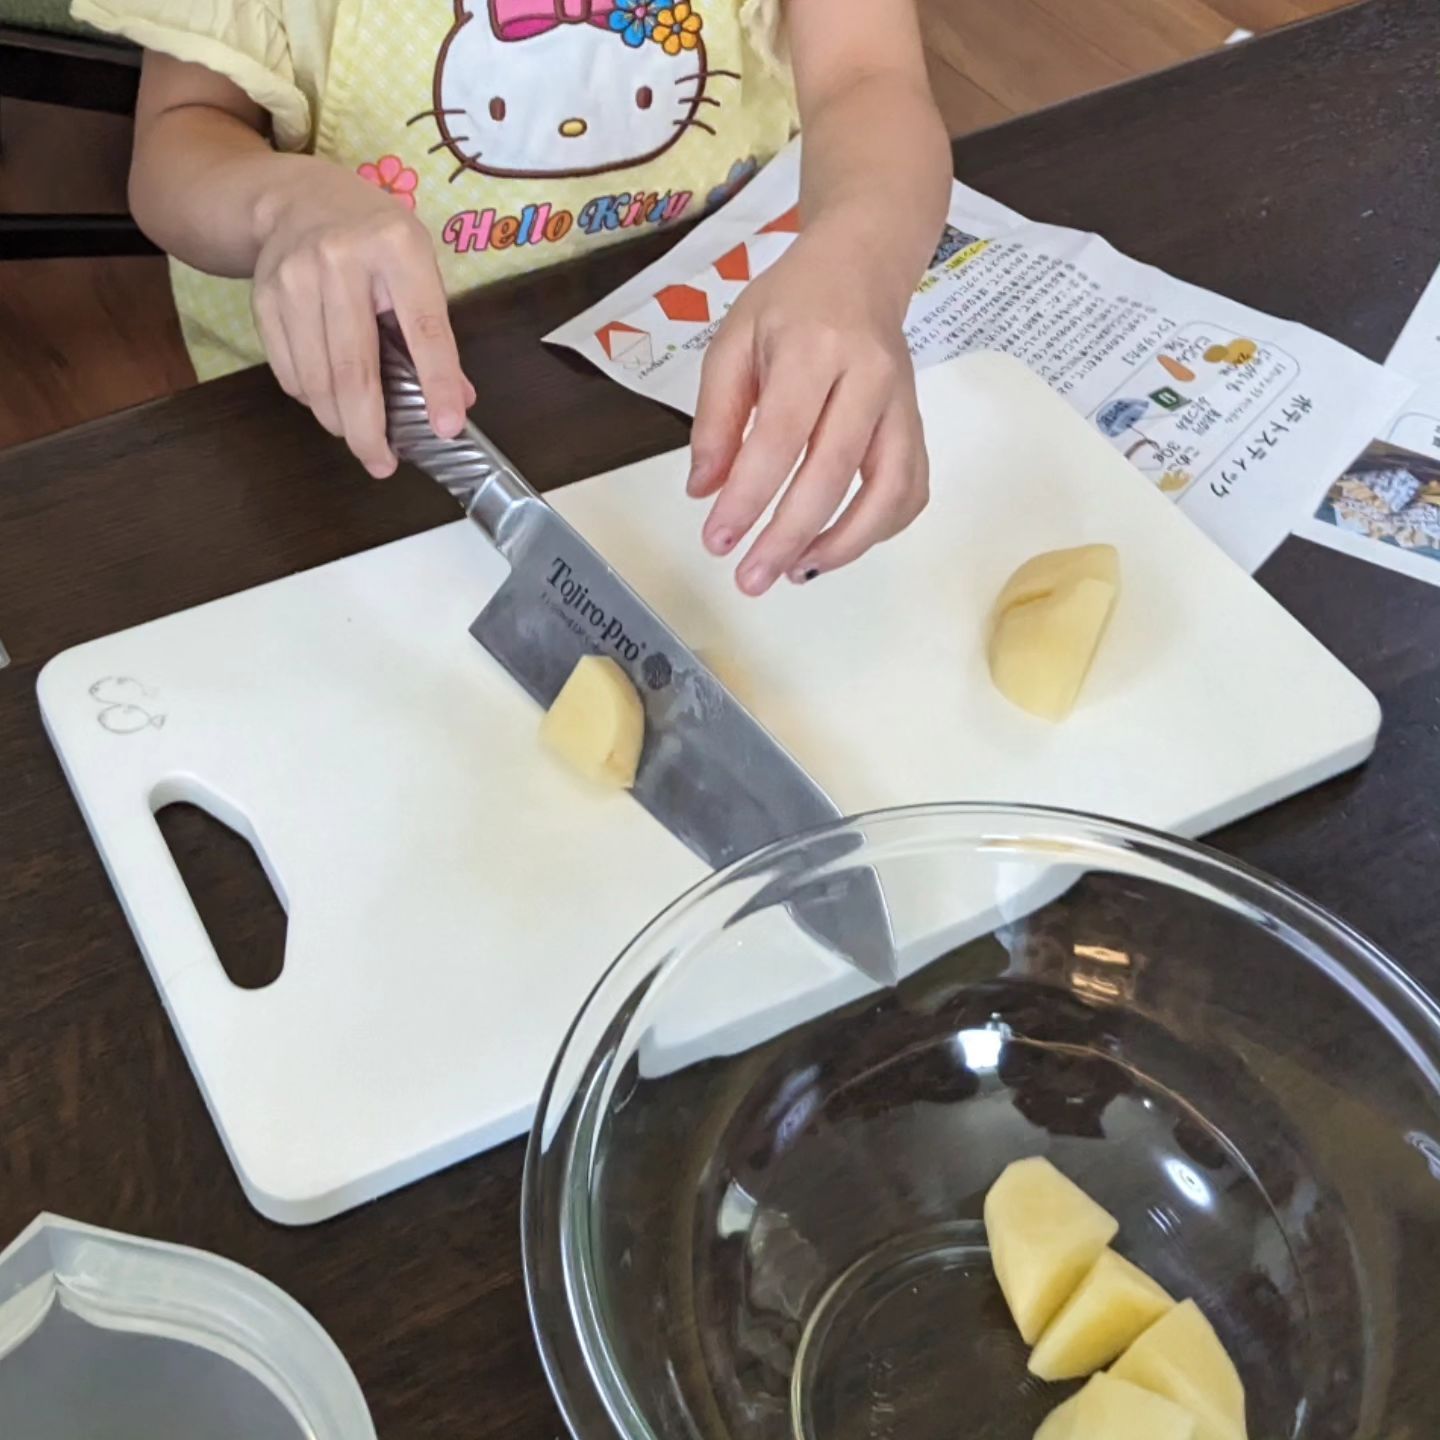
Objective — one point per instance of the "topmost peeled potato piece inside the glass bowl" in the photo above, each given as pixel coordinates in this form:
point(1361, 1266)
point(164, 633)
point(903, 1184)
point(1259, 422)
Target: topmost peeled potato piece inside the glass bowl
point(1045, 1233)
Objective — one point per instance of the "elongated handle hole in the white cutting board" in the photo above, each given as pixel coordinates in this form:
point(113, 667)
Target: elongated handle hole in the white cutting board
point(233, 886)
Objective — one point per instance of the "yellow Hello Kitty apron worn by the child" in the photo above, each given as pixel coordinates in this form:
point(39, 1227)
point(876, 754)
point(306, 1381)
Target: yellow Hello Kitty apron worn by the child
point(526, 132)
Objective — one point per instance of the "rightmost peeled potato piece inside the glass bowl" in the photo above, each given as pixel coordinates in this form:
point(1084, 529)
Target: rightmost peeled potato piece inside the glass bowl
point(1182, 1359)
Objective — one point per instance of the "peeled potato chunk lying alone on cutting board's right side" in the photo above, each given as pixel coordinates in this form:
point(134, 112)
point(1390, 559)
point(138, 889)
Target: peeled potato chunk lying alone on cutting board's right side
point(1048, 626)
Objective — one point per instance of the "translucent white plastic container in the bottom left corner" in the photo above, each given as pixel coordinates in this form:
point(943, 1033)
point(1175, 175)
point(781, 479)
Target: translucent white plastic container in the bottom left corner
point(106, 1337)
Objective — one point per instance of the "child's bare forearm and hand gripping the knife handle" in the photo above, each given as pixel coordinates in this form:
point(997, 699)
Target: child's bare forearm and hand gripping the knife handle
point(328, 251)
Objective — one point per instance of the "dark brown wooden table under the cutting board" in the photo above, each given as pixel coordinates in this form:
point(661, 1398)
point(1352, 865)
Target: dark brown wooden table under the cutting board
point(1298, 175)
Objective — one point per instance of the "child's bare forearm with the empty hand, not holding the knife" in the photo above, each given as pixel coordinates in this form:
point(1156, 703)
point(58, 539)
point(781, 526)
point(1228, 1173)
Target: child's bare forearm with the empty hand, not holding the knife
point(816, 345)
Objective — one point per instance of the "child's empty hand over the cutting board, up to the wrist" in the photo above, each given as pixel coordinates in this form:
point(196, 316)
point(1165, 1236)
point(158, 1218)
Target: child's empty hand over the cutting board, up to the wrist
point(822, 359)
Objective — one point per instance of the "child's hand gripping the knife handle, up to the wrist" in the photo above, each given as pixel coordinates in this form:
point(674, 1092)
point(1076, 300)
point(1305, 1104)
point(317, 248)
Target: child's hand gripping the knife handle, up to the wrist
point(338, 253)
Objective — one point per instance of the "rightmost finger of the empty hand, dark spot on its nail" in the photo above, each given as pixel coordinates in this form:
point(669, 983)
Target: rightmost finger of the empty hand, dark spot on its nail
point(895, 490)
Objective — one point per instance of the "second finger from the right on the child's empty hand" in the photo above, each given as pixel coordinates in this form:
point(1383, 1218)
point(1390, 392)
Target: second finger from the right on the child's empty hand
point(834, 456)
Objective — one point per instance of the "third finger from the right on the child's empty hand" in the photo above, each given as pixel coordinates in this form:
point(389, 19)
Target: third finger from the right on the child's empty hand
point(786, 417)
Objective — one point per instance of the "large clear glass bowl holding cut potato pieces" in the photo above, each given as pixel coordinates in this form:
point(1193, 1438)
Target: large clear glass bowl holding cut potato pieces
point(752, 1205)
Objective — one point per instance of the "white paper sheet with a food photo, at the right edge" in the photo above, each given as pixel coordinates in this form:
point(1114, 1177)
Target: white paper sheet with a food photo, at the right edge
point(1386, 505)
